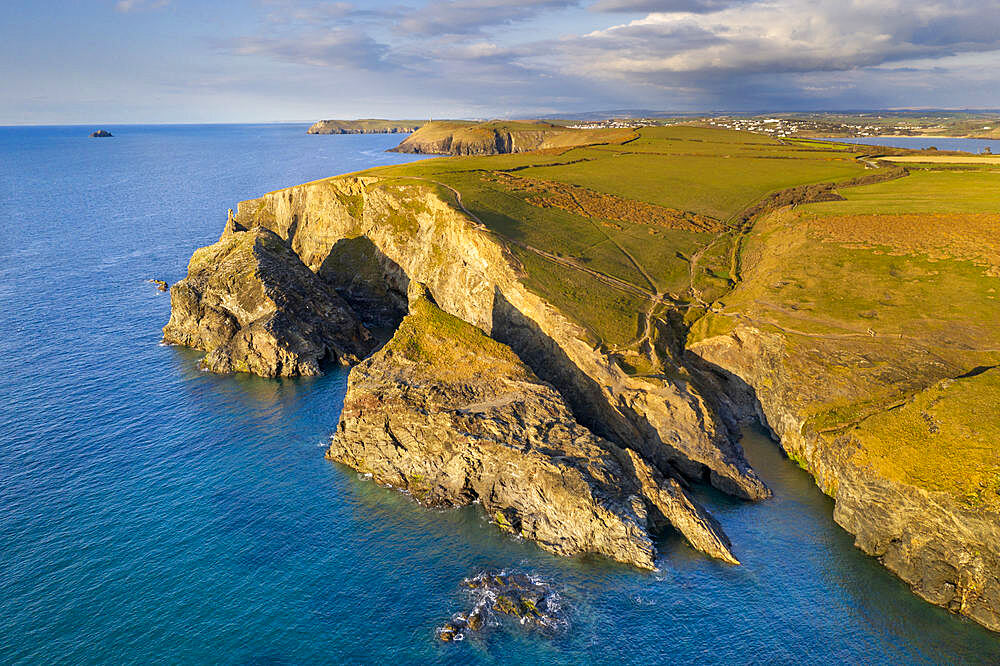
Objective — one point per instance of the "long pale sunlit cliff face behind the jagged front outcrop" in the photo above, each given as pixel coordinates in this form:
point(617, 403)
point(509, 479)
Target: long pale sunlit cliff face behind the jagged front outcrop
point(471, 275)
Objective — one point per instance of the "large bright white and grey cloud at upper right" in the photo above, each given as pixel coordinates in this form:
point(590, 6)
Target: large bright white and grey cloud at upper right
point(784, 36)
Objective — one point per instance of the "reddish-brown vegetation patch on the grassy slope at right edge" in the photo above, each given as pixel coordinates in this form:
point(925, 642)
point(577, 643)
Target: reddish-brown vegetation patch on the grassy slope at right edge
point(964, 236)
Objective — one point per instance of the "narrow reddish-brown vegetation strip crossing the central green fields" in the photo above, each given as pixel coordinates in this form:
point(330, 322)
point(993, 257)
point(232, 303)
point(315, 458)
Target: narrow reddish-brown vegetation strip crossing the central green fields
point(590, 204)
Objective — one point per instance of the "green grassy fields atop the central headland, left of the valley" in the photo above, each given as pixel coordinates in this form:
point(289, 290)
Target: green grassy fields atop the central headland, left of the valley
point(708, 172)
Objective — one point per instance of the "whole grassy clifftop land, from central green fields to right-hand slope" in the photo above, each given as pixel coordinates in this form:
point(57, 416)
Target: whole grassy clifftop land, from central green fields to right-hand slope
point(880, 296)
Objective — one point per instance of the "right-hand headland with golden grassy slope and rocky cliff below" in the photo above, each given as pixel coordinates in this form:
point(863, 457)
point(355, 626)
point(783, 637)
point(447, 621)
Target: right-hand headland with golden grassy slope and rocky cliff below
point(869, 346)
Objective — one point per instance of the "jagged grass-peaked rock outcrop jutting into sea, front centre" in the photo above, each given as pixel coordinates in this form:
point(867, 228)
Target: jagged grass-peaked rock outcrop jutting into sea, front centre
point(452, 416)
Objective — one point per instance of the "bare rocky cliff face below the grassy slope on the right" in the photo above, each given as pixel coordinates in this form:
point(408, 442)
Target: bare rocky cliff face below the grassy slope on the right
point(947, 552)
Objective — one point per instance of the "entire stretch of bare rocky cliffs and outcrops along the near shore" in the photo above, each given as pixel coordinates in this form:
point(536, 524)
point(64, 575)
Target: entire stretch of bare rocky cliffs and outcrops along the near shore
point(558, 443)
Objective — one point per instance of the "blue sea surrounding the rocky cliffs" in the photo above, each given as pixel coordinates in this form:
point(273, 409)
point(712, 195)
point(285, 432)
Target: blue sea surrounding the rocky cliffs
point(153, 513)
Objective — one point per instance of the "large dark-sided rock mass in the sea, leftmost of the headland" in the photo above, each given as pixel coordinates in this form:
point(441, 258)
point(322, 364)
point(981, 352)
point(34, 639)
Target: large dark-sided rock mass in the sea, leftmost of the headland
point(251, 303)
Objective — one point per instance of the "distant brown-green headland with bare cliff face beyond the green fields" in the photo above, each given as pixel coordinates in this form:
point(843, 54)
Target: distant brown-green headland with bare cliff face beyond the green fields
point(495, 138)
